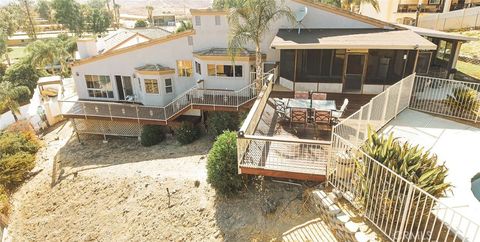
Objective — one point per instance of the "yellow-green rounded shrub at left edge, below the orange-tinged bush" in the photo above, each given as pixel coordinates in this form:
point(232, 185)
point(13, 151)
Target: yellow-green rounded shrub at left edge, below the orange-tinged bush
point(15, 168)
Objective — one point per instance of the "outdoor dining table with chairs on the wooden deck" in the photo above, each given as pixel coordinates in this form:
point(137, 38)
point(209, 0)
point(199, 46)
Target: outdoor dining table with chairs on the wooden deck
point(310, 108)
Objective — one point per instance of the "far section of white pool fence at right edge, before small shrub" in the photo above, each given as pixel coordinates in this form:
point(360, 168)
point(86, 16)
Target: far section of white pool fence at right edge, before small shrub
point(446, 97)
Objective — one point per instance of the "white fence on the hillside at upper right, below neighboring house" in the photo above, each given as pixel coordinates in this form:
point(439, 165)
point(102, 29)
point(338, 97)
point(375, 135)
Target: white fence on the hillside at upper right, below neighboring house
point(459, 19)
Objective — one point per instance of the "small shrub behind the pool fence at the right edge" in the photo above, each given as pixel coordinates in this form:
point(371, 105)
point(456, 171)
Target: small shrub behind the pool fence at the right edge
point(465, 98)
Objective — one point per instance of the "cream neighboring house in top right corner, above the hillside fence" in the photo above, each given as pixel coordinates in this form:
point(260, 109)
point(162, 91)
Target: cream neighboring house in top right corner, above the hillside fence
point(405, 11)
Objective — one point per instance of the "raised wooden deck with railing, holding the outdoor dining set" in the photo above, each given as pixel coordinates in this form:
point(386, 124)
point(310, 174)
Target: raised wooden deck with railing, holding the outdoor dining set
point(293, 151)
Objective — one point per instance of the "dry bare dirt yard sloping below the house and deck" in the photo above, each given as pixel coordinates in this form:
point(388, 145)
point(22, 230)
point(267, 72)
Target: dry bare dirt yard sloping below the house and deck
point(119, 191)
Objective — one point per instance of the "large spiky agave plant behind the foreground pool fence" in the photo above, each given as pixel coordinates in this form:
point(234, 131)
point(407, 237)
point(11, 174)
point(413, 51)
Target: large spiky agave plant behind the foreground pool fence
point(379, 188)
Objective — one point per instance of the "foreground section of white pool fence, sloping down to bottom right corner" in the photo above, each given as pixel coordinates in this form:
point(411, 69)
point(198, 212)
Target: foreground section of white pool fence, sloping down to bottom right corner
point(397, 207)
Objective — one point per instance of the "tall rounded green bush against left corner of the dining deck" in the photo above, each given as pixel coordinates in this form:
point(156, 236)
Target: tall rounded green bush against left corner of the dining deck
point(222, 169)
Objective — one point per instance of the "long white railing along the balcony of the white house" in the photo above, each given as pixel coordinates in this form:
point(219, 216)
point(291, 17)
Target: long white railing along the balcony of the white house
point(194, 96)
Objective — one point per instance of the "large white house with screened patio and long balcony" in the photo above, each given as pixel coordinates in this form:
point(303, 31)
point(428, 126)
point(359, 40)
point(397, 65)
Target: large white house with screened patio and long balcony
point(336, 51)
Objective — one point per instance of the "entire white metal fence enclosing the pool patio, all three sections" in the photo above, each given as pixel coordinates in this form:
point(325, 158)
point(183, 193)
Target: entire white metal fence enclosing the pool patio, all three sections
point(398, 208)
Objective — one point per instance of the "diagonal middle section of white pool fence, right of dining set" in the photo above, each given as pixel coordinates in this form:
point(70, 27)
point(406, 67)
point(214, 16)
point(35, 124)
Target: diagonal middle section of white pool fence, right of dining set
point(378, 112)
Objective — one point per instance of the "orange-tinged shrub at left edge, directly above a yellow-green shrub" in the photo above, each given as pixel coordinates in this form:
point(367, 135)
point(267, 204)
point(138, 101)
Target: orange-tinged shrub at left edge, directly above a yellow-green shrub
point(15, 142)
